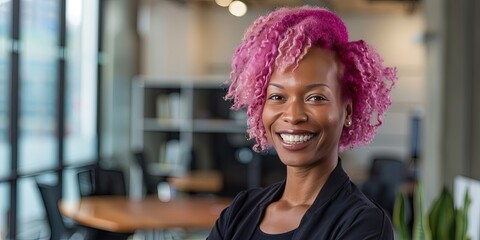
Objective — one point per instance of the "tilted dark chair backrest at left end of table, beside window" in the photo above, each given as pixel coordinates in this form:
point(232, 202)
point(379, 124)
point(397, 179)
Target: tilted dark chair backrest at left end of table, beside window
point(50, 196)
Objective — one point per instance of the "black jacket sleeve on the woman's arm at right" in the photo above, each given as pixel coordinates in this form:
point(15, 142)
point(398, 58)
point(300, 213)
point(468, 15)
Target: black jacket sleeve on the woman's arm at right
point(371, 224)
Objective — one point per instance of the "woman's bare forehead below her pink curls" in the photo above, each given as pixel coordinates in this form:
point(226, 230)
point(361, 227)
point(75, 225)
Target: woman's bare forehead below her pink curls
point(317, 65)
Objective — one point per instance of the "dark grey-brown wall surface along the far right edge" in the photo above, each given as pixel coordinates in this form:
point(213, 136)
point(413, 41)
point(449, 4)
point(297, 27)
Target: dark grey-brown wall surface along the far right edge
point(461, 116)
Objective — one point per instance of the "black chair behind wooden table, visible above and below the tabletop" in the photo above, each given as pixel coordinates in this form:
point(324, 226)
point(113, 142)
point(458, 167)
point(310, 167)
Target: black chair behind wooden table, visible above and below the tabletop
point(97, 181)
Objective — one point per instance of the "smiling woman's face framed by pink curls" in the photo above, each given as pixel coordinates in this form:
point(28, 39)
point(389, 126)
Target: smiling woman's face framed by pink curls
point(304, 113)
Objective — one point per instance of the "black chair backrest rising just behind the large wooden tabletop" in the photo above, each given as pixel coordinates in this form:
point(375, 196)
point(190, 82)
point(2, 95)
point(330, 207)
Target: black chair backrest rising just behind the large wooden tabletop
point(98, 181)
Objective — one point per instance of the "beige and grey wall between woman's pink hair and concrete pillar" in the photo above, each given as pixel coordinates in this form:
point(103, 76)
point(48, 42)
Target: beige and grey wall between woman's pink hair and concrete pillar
point(398, 38)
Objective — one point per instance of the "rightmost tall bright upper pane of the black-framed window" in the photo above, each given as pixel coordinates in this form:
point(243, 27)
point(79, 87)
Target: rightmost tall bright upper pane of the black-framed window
point(82, 25)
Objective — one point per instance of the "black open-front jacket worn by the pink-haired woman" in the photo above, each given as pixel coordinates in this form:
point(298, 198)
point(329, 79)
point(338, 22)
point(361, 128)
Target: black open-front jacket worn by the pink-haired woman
point(340, 211)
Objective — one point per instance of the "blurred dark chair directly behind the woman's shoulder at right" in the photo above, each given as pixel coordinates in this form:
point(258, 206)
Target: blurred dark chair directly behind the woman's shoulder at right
point(386, 176)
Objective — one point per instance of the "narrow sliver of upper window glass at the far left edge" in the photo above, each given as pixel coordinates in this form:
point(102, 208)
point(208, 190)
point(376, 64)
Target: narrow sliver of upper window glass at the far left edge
point(5, 21)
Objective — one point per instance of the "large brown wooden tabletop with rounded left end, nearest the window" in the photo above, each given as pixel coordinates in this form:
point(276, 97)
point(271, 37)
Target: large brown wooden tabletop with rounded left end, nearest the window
point(121, 214)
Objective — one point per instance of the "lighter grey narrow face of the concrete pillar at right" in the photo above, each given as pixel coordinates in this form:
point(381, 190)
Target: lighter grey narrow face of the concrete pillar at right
point(433, 131)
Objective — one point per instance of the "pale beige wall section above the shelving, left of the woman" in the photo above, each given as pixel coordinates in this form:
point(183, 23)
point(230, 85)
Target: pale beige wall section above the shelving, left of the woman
point(164, 32)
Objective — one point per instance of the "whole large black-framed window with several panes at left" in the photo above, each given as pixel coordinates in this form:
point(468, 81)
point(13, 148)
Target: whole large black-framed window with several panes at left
point(43, 63)
